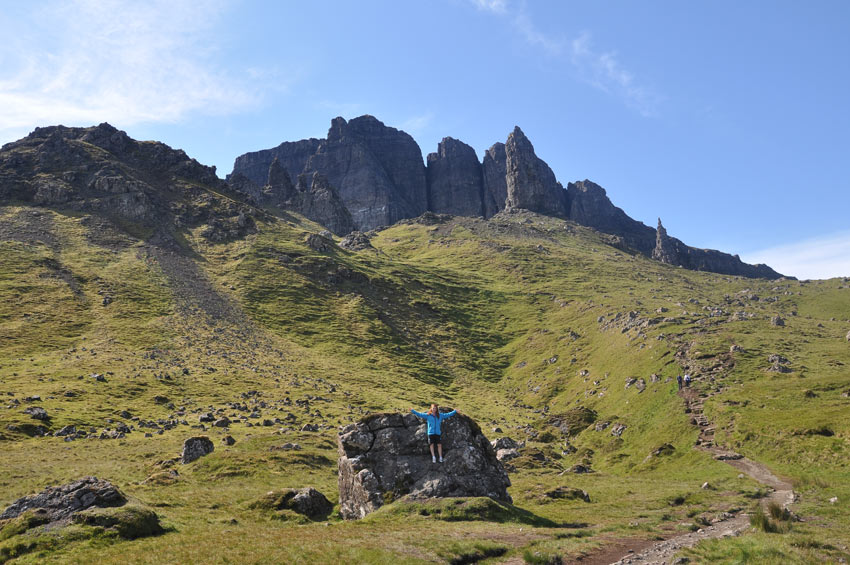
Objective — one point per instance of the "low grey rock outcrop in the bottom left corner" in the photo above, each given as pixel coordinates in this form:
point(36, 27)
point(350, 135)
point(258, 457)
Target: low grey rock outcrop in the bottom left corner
point(59, 502)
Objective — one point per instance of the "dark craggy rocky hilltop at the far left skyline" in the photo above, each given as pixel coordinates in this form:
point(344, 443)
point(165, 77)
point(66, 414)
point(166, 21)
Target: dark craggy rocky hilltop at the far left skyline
point(102, 170)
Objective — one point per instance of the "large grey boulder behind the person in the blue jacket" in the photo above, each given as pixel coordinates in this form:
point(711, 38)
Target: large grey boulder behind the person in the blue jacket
point(385, 456)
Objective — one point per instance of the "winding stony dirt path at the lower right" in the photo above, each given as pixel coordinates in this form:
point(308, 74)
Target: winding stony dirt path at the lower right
point(663, 552)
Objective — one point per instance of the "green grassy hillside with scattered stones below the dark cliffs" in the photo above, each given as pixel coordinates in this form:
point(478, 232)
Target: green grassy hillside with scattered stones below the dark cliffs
point(533, 325)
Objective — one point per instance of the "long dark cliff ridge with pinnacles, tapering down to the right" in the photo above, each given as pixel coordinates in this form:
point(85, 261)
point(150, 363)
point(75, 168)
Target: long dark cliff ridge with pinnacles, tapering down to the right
point(378, 174)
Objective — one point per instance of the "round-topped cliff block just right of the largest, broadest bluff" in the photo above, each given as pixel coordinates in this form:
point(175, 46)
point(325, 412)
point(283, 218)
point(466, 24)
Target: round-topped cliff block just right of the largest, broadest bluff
point(455, 183)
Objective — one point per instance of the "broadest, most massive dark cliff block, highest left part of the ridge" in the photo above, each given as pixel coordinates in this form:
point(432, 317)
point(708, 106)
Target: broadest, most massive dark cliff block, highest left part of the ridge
point(377, 170)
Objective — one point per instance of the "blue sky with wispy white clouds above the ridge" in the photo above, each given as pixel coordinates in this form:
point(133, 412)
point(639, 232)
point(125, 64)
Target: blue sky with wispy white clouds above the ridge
point(727, 119)
